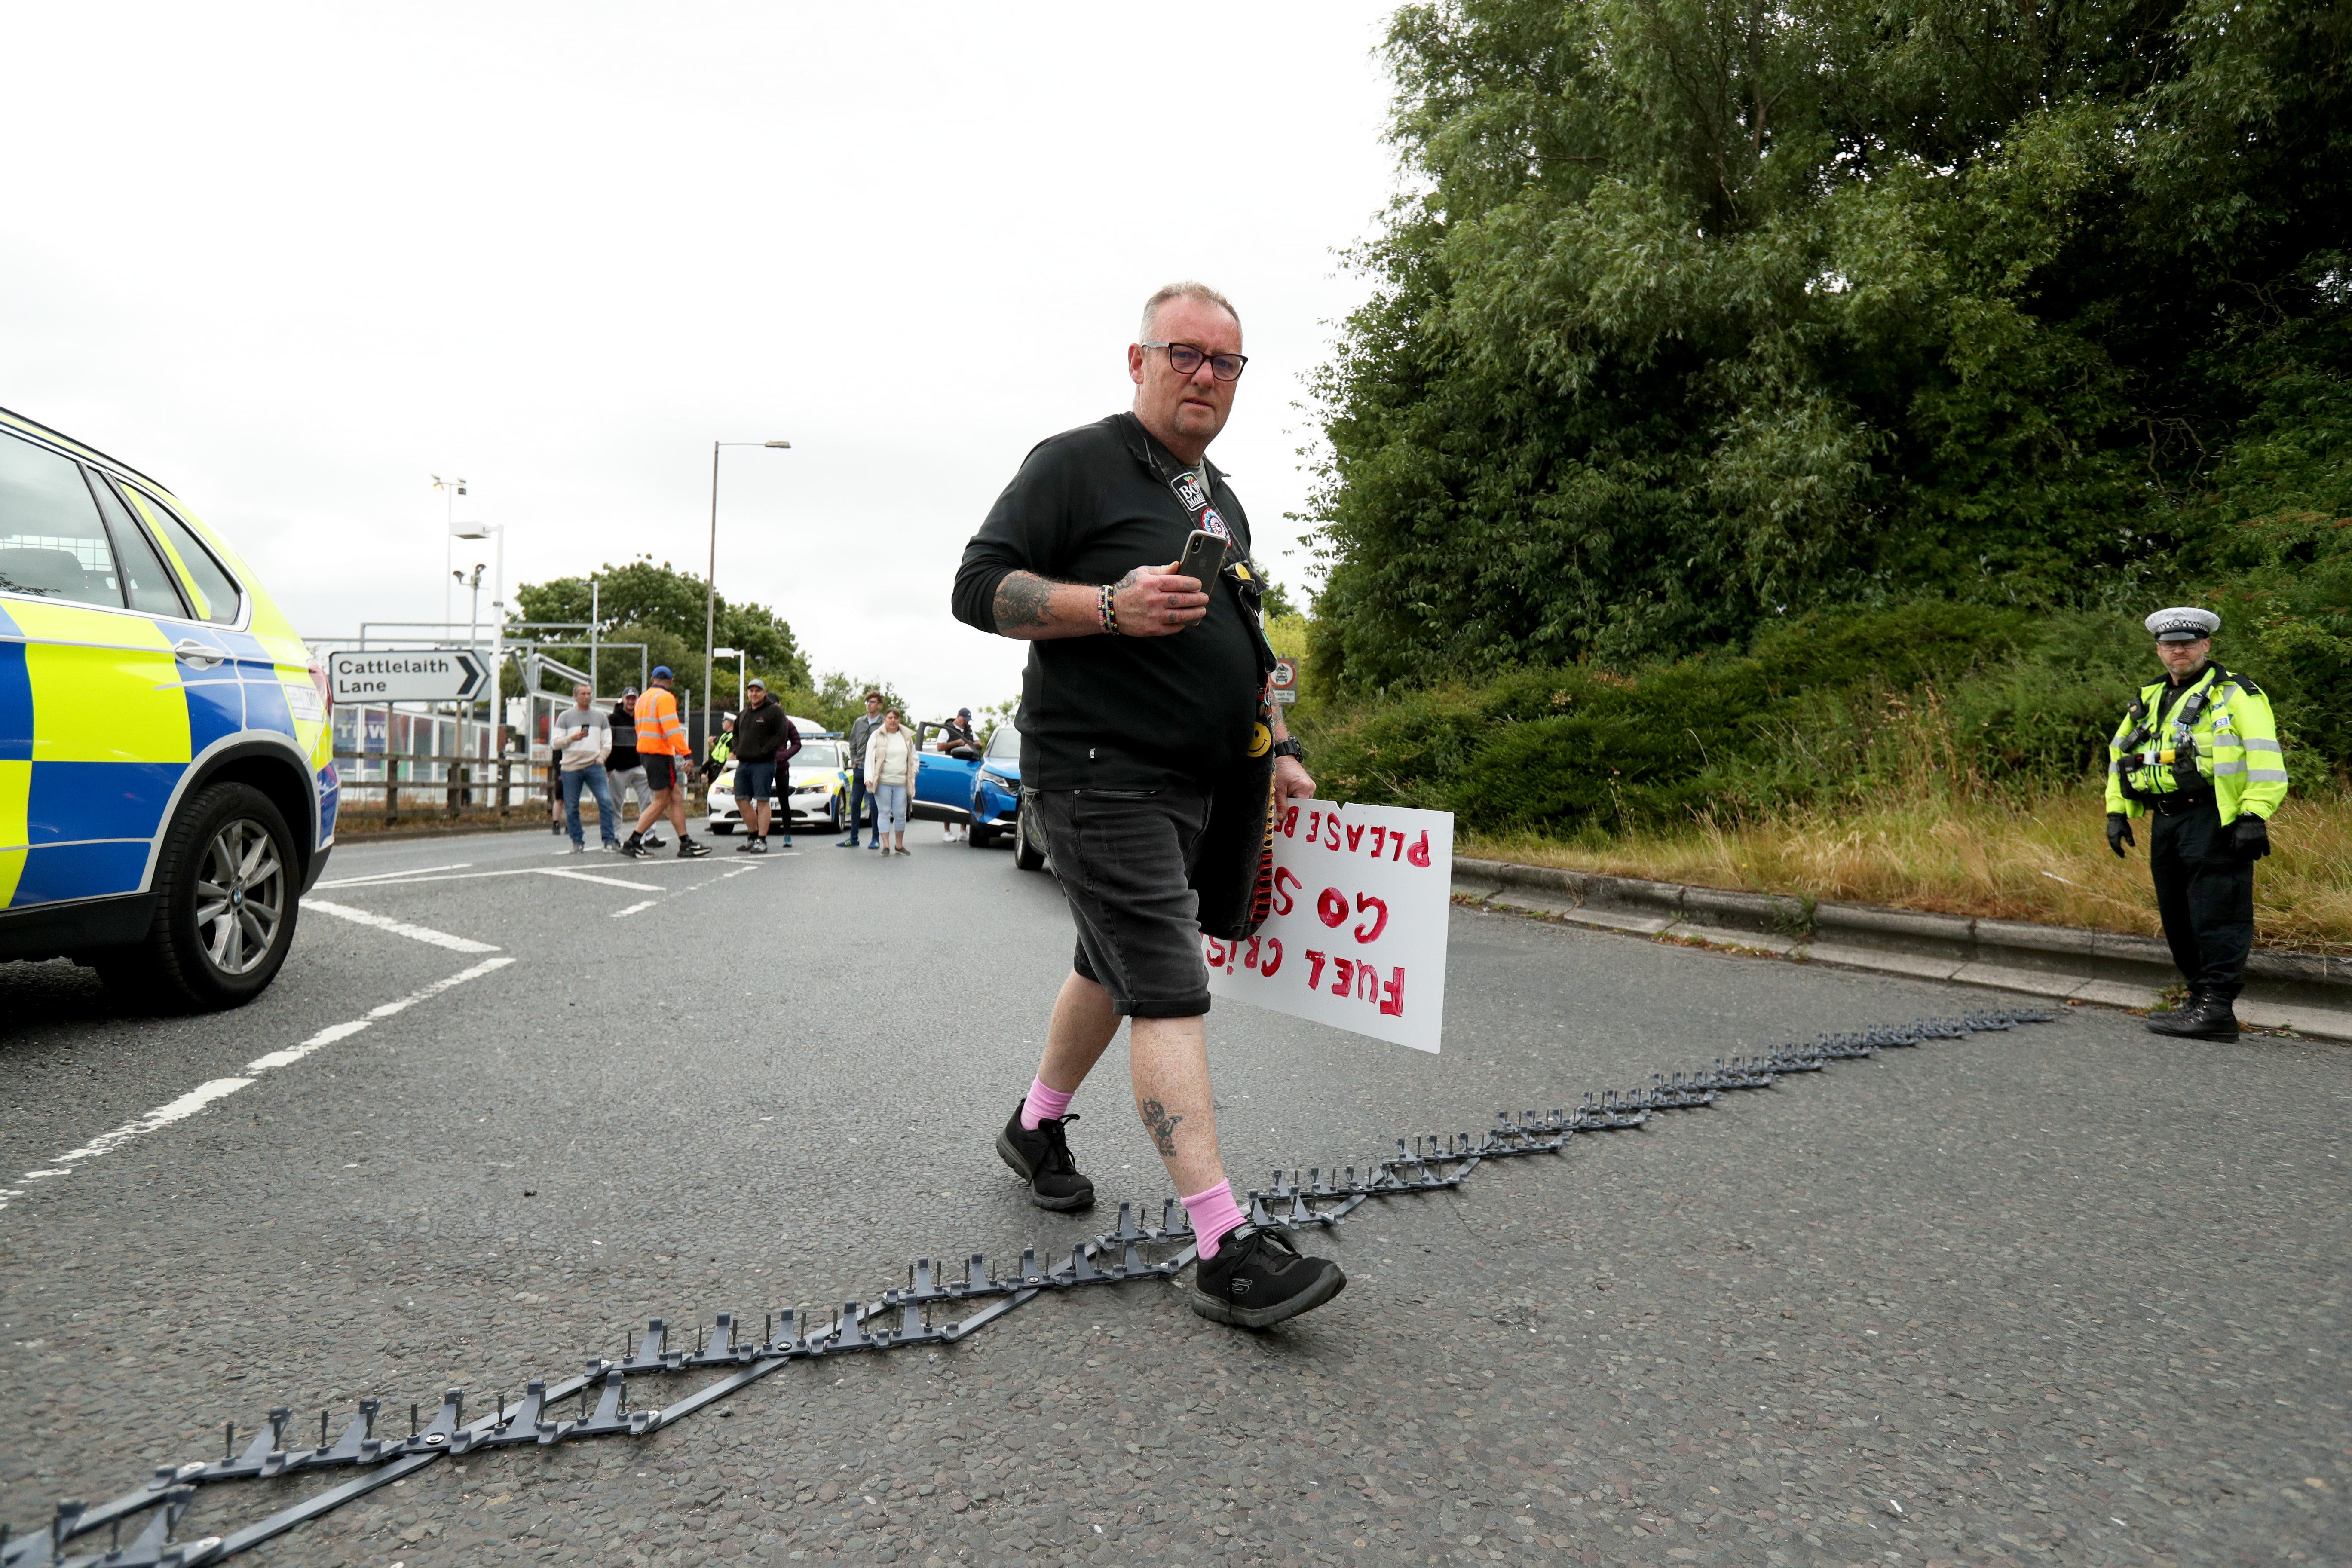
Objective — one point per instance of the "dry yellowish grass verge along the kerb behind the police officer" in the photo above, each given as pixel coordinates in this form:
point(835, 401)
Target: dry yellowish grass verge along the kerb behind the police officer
point(2040, 857)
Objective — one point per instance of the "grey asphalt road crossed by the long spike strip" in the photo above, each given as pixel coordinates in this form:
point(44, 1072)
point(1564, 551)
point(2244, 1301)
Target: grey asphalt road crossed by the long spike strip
point(2069, 1294)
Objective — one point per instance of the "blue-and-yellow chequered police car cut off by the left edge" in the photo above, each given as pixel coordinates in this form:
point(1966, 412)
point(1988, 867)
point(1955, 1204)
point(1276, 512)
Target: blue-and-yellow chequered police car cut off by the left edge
point(166, 765)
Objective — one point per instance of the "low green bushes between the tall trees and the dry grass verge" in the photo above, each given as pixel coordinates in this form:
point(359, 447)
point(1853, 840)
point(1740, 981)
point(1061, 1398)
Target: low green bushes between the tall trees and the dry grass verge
point(1838, 706)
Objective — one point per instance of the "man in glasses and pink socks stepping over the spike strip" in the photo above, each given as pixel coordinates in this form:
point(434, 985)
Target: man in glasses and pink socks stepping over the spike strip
point(1142, 690)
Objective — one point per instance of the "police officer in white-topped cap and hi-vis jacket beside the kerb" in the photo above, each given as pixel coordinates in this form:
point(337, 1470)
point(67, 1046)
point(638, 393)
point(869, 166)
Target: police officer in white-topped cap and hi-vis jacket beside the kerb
point(2203, 753)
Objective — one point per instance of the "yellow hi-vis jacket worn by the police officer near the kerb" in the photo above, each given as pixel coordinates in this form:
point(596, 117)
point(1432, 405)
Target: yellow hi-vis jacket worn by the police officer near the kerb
point(2217, 735)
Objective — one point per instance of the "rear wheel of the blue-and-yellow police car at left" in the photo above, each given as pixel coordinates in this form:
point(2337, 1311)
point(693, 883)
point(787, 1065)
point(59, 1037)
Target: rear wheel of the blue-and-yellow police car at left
point(229, 894)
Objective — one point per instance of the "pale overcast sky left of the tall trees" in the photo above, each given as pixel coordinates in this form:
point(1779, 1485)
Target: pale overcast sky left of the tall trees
point(298, 260)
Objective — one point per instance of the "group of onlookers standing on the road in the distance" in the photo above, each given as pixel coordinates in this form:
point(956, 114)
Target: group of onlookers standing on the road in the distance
point(639, 751)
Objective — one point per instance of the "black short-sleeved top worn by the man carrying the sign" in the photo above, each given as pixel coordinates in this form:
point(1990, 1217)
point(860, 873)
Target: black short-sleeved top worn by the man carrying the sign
point(1116, 713)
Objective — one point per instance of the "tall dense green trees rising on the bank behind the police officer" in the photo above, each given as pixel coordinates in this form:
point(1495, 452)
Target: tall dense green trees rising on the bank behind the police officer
point(1709, 314)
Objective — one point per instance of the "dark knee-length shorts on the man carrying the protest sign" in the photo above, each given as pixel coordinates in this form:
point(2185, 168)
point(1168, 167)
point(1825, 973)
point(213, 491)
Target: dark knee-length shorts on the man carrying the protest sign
point(1125, 862)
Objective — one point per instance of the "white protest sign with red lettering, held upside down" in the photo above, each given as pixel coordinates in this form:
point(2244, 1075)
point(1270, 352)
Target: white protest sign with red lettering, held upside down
point(1358, 934)
